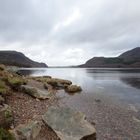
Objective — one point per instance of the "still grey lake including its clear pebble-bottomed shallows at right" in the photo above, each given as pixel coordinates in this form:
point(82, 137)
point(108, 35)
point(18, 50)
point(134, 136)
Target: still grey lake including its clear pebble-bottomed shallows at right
point(110, 98)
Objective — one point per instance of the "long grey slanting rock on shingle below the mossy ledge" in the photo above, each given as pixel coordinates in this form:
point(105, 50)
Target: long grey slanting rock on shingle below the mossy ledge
point(37, 93)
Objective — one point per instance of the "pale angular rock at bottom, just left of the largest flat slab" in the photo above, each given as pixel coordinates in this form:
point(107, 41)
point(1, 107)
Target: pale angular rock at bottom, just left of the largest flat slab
point(27, 131)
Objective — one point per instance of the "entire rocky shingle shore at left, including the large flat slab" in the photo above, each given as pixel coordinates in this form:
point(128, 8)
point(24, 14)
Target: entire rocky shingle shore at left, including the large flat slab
point(25, 112)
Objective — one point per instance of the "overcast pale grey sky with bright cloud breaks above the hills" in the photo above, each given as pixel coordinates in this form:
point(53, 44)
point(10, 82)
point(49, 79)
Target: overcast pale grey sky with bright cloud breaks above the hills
point(69, 32)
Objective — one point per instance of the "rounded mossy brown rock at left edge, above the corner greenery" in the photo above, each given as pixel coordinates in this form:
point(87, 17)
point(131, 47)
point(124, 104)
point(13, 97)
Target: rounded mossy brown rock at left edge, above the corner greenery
point(6, 116)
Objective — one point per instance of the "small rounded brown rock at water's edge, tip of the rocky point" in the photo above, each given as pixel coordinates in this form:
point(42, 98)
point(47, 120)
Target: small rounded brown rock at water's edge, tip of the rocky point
point(73, 89)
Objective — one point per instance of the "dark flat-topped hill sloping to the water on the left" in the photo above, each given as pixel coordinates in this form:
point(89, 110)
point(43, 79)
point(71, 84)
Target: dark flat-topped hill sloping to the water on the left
point(14, 58)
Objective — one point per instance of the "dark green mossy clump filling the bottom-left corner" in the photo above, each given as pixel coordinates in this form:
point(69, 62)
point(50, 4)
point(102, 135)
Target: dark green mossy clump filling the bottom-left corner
point(6, 135)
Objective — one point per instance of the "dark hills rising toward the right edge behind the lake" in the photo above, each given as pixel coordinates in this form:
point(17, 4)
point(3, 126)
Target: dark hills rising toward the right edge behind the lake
point(129, 58)
